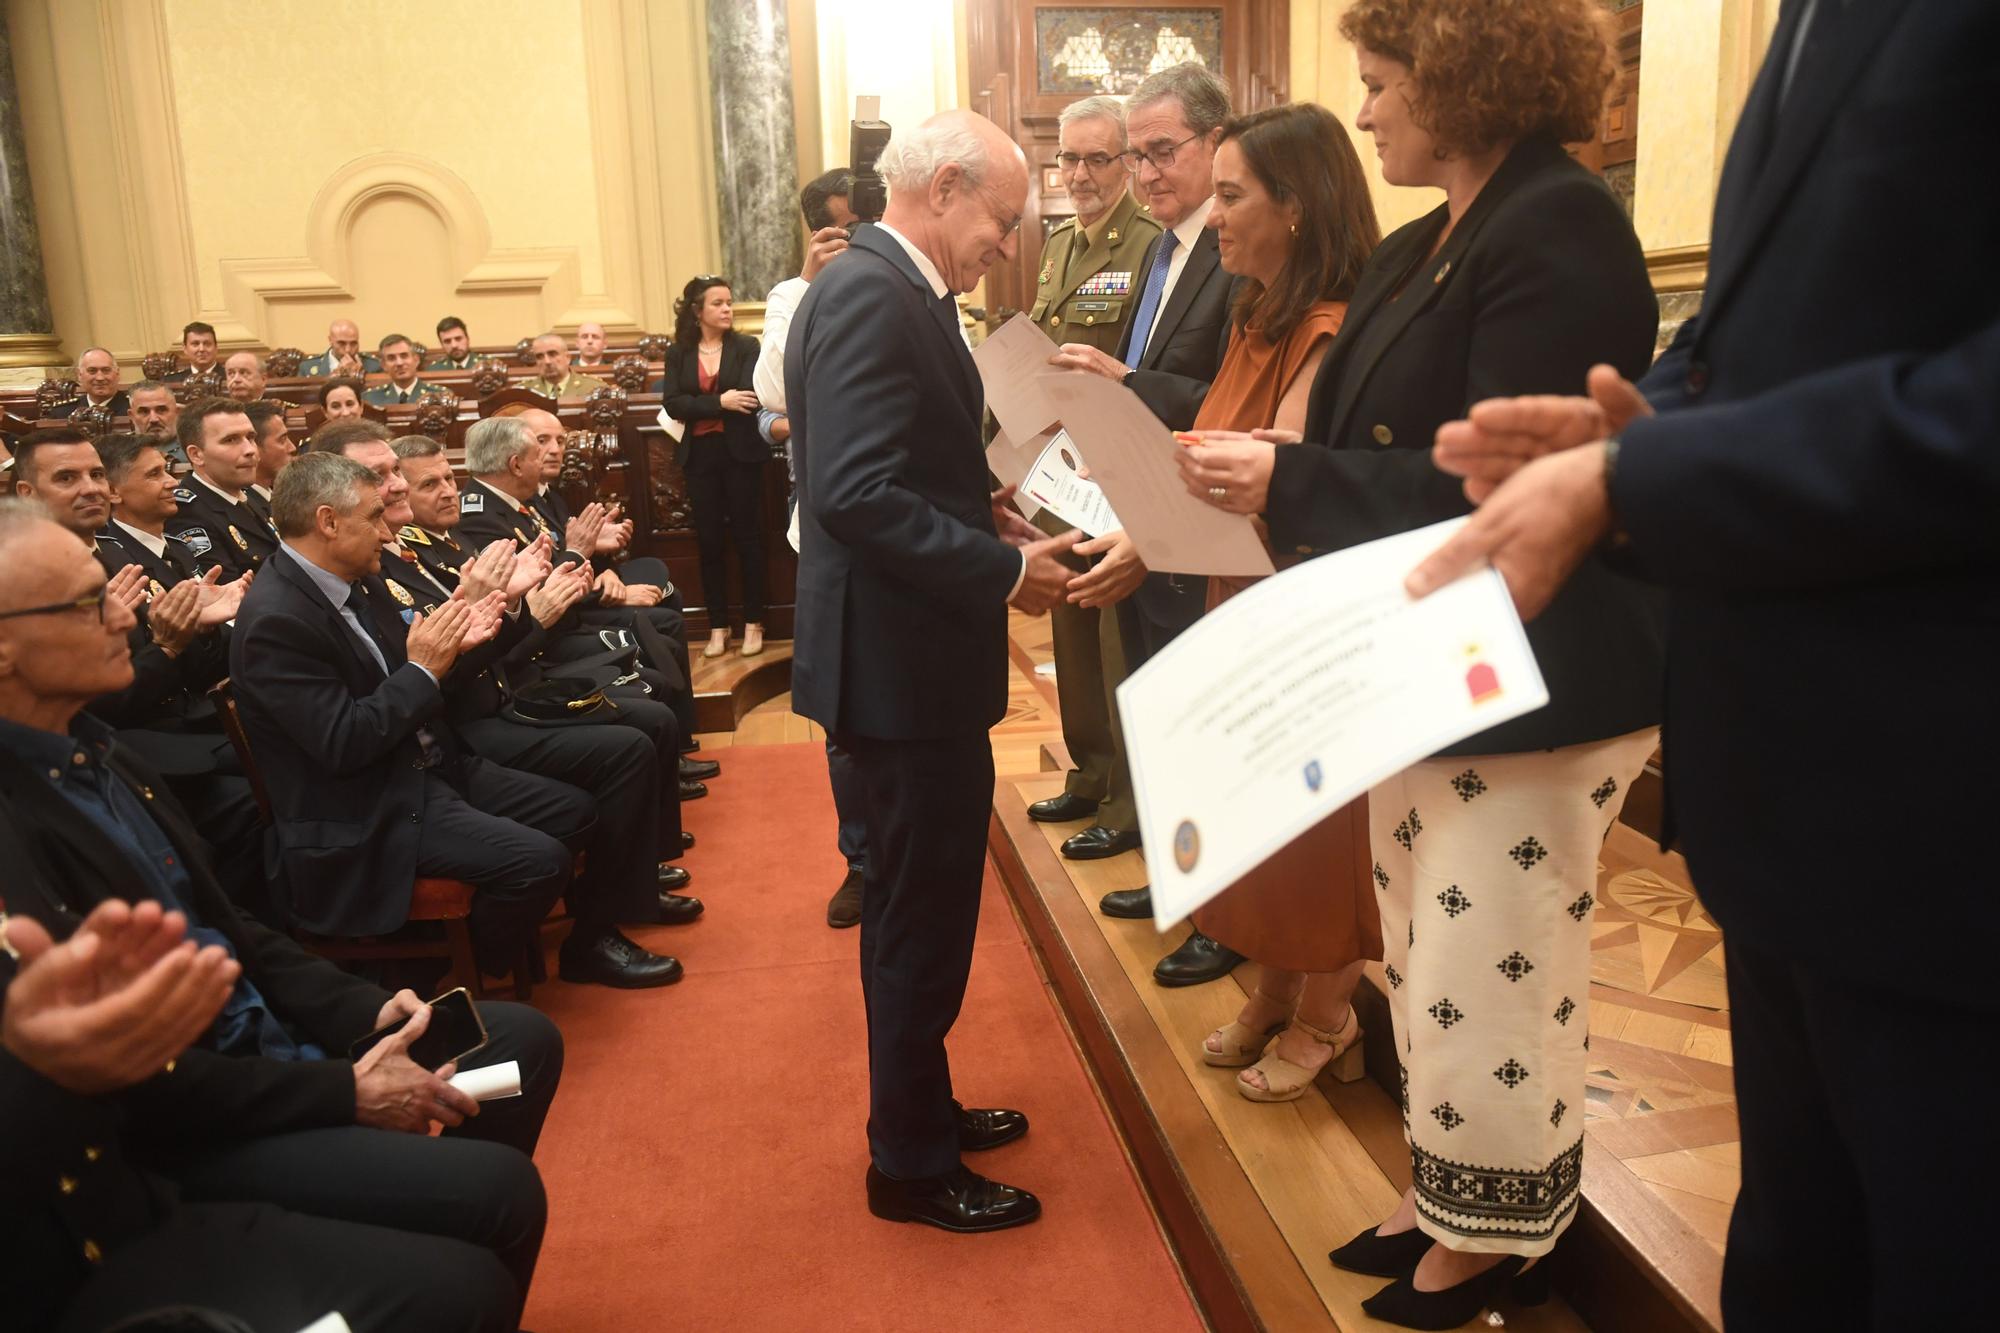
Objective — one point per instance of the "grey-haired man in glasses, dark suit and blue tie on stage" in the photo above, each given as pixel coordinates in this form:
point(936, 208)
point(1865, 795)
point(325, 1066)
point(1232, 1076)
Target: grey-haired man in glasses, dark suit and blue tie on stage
point(1169, 355)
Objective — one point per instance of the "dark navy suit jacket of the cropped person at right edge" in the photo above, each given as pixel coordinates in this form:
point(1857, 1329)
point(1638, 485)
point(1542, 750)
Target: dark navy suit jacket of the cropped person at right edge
point(1821, 493)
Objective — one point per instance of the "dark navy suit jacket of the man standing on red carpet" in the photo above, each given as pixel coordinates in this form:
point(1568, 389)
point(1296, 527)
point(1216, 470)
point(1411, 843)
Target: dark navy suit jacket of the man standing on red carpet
point(903, 583)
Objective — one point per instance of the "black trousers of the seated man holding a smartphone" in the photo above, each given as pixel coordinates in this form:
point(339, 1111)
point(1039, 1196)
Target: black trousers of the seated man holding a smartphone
point(473, 1184)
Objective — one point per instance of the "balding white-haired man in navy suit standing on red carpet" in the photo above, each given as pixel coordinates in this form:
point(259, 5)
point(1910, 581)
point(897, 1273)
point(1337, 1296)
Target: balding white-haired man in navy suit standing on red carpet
point(901, 645)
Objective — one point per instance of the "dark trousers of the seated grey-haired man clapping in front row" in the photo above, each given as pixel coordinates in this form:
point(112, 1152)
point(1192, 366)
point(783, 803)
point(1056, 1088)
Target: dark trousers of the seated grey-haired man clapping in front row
point(511, 836)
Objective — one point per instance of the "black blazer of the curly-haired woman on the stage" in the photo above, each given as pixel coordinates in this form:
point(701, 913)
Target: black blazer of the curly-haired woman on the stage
point(1541, 281)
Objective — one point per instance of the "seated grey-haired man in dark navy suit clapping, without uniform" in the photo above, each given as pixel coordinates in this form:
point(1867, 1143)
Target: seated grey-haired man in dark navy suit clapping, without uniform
point(343, 706)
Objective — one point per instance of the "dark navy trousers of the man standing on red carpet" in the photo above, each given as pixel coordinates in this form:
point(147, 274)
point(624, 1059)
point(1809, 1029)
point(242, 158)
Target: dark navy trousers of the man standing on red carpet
point(925, 806)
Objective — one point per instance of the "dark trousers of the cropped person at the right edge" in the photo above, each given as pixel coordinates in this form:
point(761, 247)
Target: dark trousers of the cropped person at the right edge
point(1861, 1202)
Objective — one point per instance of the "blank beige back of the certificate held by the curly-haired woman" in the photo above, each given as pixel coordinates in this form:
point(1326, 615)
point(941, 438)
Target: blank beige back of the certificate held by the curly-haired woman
point(1131, 457)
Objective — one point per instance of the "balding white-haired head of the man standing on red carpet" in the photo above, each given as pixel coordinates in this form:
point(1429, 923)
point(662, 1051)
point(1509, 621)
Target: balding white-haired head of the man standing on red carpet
point(959, 187)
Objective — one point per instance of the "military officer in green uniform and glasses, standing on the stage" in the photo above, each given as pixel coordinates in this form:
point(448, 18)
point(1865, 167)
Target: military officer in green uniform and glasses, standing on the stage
point(1085, 293)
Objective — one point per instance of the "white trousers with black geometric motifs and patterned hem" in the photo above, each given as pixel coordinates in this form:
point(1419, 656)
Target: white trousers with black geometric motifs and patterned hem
point(1487, 878)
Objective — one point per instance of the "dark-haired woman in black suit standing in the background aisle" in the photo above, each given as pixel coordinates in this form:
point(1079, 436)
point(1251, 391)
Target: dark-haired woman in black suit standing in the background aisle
point(707, 389)
